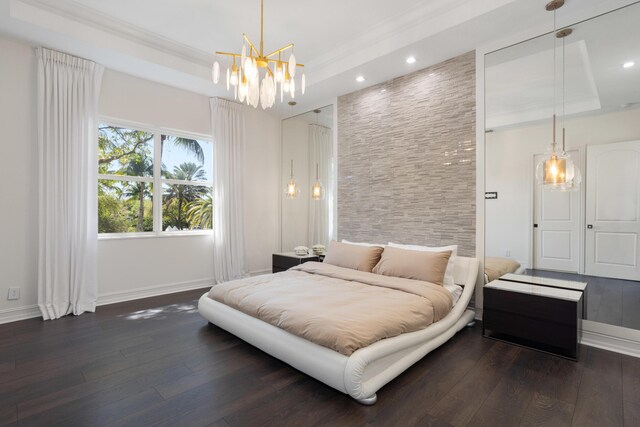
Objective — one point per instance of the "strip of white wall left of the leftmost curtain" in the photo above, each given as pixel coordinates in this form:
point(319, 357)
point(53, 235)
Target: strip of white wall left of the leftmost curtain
point(18, 175)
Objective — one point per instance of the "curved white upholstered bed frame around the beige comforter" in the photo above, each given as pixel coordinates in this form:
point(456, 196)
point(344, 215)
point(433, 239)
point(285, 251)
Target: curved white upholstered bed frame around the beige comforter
point(363, 373)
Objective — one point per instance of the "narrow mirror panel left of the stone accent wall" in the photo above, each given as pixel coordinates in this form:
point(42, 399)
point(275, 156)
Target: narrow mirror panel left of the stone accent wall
point(308, 179)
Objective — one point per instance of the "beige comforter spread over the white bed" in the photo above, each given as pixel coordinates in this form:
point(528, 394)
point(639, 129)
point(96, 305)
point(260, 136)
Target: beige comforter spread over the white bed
point(335, 307)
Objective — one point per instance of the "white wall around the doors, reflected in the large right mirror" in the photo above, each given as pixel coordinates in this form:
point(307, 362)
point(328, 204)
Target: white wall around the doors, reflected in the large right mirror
point(510, 172)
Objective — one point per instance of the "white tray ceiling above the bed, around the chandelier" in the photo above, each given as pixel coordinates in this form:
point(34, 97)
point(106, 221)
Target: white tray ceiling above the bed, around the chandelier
point(171, 41)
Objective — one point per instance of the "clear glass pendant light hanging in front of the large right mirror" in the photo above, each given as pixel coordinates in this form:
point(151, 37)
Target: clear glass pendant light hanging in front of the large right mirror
point(555, 169)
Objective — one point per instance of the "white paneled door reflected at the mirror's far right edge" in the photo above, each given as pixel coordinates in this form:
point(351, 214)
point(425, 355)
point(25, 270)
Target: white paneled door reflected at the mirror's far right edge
point(613, 210)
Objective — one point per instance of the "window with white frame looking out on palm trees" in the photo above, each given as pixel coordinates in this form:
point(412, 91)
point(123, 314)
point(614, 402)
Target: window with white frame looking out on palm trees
point(134, 165)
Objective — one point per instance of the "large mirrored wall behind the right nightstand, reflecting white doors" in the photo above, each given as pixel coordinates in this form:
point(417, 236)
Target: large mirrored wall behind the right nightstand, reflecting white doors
point(591, 80)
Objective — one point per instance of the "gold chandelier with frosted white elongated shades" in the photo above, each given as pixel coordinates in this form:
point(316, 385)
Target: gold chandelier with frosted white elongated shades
point(249, 83)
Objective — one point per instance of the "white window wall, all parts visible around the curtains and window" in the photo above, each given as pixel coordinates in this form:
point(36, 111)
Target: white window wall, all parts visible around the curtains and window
point(131, 267)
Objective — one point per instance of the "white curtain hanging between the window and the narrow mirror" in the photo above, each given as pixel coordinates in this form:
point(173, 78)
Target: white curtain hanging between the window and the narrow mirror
point(230, 260)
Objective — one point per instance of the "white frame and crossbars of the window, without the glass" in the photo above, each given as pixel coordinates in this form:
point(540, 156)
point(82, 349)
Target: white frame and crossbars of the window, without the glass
point(157, 180)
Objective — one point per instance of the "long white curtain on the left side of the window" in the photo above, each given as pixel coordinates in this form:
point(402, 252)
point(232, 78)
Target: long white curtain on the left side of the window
point(67, 102)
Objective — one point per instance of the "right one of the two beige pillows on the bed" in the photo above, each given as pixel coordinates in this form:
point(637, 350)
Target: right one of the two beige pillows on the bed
point(417, 265)
